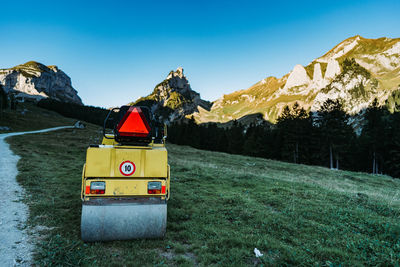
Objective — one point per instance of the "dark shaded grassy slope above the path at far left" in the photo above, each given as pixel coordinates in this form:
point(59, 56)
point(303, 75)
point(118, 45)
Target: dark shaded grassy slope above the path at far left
point(34, 118)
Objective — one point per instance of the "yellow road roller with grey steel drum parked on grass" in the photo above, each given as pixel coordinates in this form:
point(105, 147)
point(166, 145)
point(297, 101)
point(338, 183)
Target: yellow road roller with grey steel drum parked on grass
point(126, 179)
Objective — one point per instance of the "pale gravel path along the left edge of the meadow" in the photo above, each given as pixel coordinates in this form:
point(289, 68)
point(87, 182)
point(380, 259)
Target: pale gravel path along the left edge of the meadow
point(15, 247)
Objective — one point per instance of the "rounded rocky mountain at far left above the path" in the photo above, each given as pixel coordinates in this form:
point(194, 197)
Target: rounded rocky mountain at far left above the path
point(36, 81)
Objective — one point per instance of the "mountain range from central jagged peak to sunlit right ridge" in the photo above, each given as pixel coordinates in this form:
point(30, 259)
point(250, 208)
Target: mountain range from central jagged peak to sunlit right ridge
point(357, 71)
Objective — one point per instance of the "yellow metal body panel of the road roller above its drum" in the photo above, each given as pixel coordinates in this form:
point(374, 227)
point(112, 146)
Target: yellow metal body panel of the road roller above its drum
point(103, 164)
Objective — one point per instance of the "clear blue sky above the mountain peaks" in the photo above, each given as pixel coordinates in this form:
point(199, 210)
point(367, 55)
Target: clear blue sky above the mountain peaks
point(117, 51)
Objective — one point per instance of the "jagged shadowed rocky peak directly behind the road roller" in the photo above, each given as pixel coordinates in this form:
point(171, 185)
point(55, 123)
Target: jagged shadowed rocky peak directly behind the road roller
point(173, 98)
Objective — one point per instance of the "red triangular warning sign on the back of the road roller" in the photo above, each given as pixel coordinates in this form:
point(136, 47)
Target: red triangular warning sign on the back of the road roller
point(134, 123)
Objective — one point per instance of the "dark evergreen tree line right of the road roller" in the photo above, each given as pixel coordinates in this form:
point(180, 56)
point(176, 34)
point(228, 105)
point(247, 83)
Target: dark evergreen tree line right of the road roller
point(330, 137)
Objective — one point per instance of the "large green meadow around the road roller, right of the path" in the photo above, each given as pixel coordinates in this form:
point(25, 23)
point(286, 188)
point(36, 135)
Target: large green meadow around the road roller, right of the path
point(222, 206)
